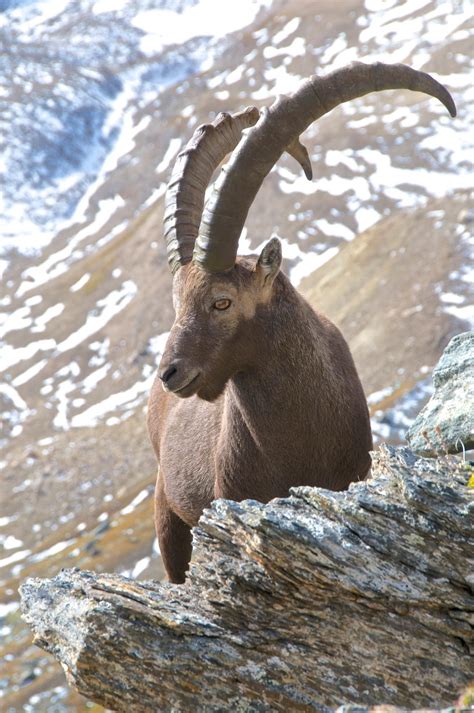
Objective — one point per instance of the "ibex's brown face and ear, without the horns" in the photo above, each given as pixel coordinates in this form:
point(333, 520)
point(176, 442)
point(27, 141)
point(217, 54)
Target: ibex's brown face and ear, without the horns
point(214, 334)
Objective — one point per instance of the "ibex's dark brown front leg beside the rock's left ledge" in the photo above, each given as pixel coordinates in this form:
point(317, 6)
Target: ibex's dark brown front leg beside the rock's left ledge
point(174, 537)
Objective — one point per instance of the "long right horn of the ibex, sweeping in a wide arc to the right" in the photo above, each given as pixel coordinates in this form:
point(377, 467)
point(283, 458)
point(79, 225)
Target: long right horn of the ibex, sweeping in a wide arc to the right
point(277, 131)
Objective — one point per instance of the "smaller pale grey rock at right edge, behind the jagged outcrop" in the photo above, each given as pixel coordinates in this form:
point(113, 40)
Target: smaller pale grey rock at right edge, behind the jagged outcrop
point(446, 424)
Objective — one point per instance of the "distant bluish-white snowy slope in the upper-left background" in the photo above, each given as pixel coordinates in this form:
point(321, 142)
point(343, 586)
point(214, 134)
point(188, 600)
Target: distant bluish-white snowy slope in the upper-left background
point(75, 77)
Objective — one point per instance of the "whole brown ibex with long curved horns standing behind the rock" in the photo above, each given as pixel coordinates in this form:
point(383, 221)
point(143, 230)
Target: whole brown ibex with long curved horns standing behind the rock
point(269, 396)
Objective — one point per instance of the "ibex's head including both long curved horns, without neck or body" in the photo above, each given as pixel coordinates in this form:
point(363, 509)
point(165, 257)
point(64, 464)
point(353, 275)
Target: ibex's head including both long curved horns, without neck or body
point(220, 299)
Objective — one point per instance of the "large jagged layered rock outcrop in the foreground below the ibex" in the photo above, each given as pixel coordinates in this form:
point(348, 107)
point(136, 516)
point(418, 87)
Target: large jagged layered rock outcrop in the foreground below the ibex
point(305, 603)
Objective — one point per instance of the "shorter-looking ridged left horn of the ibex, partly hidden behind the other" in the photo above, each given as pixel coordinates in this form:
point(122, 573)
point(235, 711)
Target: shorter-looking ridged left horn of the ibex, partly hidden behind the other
point(192, 172)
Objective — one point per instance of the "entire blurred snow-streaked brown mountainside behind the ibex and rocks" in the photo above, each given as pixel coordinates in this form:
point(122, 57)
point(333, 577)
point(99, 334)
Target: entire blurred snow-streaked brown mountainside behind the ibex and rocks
point(97, 97)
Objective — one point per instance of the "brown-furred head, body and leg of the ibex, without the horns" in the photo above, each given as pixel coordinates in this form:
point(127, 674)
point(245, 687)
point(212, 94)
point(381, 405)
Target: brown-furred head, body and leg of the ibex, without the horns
point(276, 401)
